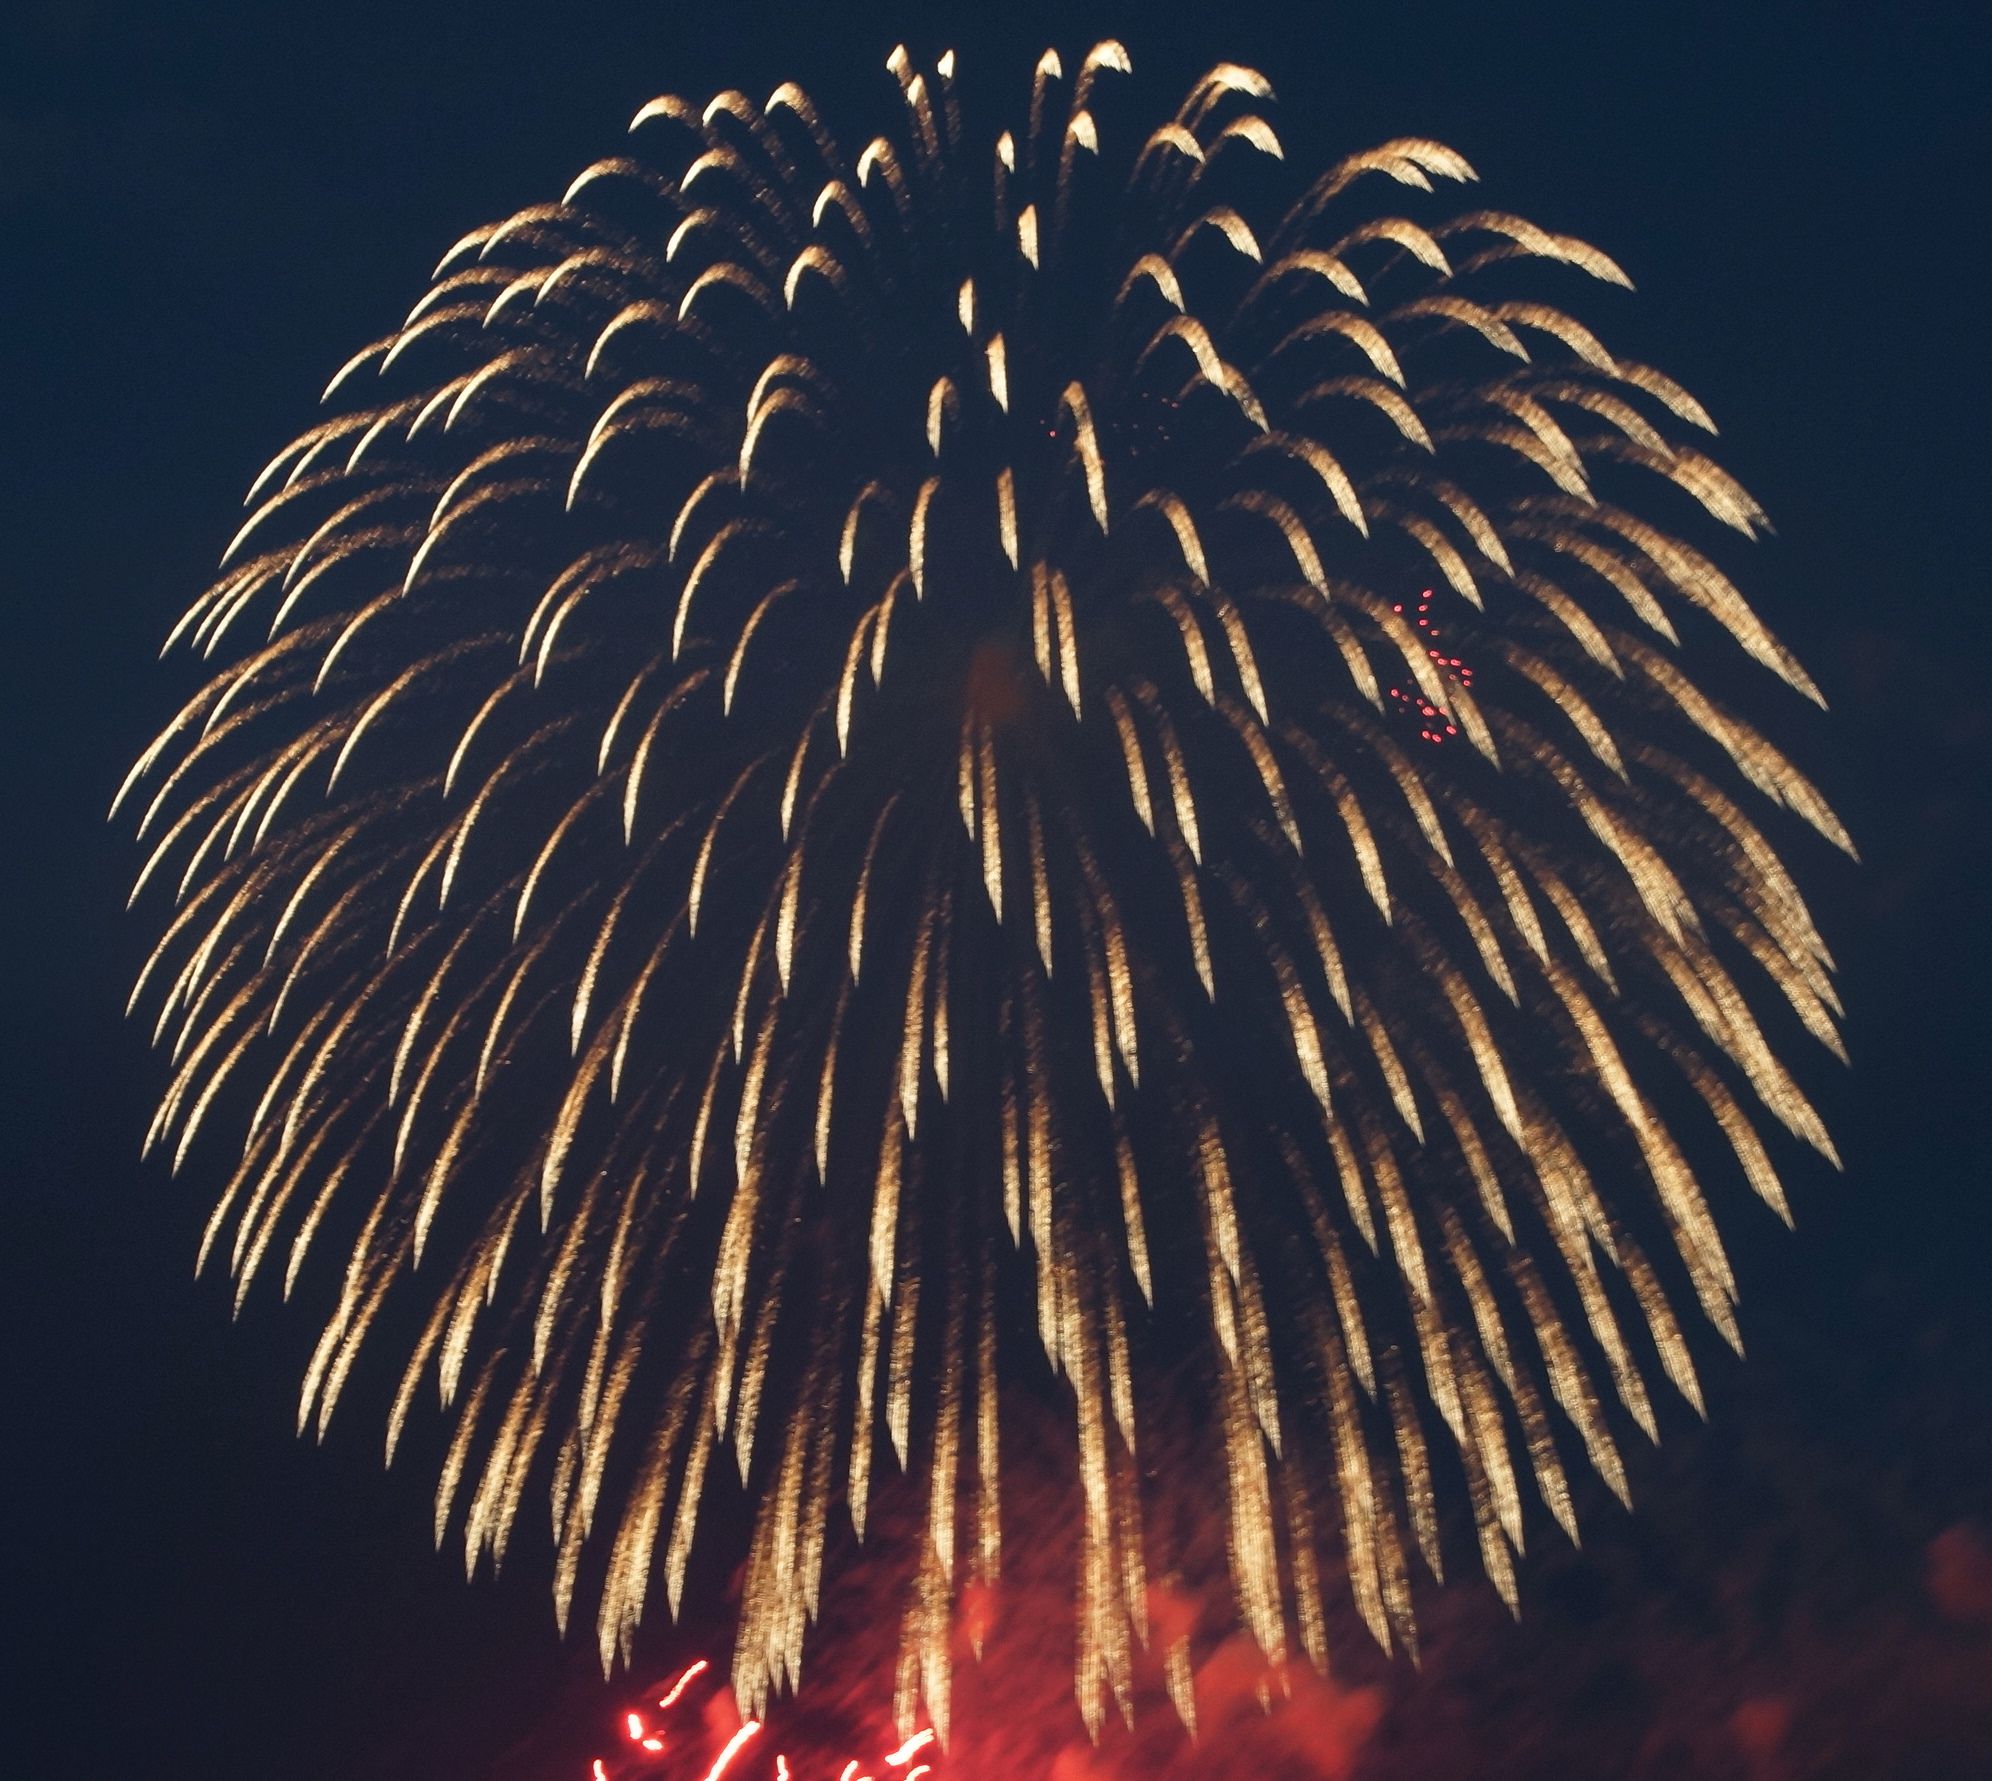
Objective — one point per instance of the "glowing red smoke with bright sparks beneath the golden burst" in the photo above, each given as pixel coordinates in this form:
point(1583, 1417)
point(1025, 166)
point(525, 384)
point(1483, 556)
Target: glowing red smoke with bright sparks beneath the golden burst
point(1204, 1702)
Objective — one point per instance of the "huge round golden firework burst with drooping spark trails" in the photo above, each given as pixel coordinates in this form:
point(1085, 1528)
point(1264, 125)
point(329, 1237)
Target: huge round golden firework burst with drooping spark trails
point(826, 758)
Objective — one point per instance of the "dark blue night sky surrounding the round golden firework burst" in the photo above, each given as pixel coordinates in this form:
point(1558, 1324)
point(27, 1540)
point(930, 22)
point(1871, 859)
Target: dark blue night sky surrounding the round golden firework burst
point(206, 210)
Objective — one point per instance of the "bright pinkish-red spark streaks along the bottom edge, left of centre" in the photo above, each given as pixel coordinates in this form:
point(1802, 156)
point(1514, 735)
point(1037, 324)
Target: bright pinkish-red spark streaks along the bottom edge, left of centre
point(696, 1734)
